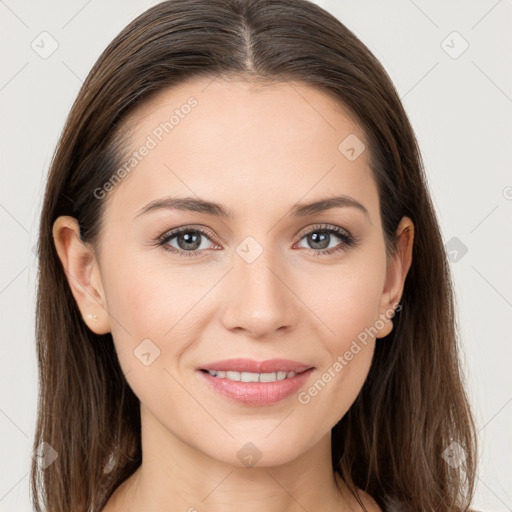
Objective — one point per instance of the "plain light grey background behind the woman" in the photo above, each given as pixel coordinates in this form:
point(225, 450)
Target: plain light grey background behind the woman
point(460, 109)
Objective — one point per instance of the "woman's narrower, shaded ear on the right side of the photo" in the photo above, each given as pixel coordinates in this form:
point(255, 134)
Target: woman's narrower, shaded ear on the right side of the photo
point(397, 270)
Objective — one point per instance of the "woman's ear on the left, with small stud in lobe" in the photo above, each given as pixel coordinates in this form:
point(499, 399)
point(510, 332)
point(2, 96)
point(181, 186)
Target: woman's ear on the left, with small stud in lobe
point(82, 271)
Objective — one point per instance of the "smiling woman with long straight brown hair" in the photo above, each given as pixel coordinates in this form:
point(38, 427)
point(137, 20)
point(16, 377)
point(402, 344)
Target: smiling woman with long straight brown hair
point(230, 312)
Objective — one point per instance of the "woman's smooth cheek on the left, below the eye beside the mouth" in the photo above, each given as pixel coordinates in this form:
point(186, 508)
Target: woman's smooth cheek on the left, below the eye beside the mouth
point(145, 308)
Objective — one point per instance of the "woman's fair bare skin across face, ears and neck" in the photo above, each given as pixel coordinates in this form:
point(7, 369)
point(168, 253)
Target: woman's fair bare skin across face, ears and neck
point(258, 150)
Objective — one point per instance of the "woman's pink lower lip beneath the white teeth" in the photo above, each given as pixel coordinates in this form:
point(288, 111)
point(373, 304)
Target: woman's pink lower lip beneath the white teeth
point(257, 393)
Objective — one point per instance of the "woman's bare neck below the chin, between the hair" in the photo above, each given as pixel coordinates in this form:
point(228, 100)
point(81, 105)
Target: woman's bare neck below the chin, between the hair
point(177, 476)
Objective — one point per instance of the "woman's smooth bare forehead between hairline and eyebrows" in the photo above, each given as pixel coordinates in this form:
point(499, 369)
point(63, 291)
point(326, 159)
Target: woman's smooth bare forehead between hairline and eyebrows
point(245, 145)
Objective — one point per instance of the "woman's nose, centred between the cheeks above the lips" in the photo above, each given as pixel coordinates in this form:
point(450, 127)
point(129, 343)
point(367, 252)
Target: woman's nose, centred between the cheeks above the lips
point(258, 297)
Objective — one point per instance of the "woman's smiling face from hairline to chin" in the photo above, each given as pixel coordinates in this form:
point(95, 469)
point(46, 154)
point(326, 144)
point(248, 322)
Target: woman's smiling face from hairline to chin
point(269, 279)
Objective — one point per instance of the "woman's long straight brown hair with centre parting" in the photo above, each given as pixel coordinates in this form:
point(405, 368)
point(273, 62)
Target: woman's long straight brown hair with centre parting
point(412, 410)
